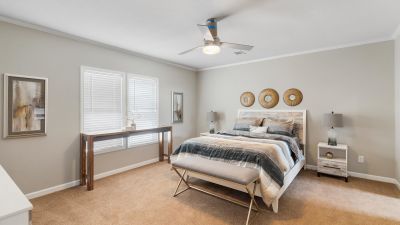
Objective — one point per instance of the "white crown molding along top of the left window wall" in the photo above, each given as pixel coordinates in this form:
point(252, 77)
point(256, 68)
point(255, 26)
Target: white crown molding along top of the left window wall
point(89, 41)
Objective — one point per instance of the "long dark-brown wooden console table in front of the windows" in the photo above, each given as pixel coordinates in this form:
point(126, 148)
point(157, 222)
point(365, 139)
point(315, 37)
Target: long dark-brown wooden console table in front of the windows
point(87, 156)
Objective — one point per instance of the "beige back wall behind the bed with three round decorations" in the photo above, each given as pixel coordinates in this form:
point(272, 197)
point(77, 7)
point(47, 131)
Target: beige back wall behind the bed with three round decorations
point(356, 81)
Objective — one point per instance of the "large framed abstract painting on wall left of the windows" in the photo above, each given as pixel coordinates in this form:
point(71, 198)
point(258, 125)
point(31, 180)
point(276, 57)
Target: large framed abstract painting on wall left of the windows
point(25, 106)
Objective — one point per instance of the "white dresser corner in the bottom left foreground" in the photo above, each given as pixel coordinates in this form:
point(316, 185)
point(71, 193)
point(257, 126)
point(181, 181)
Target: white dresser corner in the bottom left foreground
point(14, 206)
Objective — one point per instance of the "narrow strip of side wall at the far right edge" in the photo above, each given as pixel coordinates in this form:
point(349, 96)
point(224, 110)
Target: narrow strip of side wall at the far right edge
point(397, 104)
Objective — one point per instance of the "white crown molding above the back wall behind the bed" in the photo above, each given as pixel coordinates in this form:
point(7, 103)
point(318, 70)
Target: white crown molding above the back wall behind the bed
point(298, 53)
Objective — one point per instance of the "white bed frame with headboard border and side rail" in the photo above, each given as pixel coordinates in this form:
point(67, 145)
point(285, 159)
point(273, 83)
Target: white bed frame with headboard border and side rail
point(289, 177)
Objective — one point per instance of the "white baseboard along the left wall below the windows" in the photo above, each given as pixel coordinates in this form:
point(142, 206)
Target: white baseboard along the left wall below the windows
point(74, 183)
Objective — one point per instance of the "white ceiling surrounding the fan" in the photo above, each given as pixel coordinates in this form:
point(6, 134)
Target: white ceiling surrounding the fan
point(164, 28)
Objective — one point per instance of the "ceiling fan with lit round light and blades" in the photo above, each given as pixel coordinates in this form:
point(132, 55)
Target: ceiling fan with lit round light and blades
point(212, 44)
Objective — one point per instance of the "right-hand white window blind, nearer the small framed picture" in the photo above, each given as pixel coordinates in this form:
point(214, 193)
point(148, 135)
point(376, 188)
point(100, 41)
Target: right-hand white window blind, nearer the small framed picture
point(142, 107)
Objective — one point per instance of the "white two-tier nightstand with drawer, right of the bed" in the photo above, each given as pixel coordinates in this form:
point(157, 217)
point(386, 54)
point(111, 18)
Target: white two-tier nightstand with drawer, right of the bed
point(335, 166)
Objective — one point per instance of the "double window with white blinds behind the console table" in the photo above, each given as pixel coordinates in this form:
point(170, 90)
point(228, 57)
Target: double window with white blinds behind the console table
point(109, 98)
